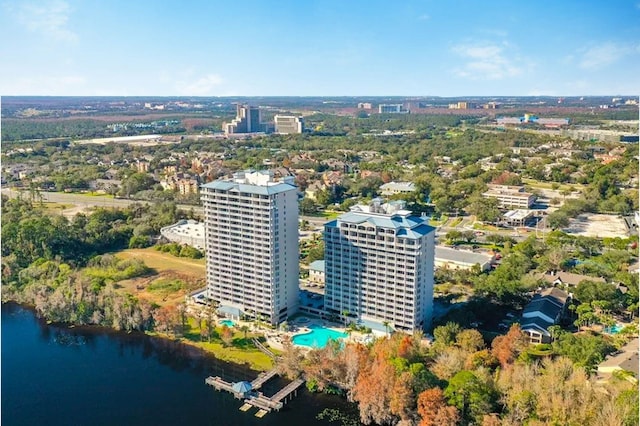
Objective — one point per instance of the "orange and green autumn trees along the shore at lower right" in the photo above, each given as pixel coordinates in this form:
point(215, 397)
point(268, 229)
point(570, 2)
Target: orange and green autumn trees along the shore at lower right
point(460, 379)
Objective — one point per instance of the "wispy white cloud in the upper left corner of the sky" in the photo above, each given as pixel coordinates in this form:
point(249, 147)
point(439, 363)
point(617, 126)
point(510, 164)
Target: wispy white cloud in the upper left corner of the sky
point(48, 18)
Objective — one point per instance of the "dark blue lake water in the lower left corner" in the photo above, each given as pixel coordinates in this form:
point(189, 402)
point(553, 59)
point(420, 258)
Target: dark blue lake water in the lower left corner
point(56, 375)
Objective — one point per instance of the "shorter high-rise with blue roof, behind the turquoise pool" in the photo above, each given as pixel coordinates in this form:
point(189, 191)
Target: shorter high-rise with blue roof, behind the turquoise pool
point(379, 267)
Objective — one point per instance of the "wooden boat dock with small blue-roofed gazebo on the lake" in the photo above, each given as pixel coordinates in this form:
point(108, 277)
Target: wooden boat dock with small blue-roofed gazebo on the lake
point(248, 391)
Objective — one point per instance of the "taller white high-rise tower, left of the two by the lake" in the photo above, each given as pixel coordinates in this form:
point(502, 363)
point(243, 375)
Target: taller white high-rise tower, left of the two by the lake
point(251, 234)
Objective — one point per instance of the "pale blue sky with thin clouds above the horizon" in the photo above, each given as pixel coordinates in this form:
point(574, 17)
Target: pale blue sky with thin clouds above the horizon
point(320, 48)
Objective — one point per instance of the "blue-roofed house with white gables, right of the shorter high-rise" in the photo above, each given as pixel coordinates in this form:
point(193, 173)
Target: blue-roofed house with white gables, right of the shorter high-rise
point(545, 309)
